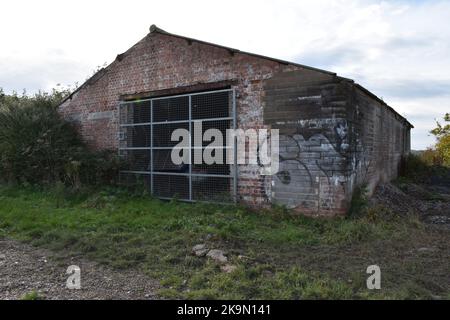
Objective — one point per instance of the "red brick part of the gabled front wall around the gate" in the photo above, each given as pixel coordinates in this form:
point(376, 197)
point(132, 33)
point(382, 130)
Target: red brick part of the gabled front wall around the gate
point(160, 62)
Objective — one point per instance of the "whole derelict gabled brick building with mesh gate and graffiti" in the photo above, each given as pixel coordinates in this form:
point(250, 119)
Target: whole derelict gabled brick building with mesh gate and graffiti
point(334, 134)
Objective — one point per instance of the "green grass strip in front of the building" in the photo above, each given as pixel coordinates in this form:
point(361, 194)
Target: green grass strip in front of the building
point(289, 256)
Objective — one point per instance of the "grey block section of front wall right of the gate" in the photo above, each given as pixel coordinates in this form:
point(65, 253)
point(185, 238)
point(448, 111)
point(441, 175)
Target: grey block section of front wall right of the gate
point(310, 110)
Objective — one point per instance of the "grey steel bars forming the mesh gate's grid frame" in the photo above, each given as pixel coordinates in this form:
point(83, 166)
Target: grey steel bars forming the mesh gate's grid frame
point(233, 173)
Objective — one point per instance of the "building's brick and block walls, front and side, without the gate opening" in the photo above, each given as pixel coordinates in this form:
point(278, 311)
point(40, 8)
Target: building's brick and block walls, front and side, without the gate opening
point(313, 109)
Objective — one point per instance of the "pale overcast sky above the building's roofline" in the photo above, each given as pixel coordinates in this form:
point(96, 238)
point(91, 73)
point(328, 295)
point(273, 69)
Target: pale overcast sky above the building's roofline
point(400, 50)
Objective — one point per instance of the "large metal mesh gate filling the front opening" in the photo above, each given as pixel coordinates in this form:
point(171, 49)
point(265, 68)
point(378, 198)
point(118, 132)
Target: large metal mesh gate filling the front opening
point(145, 144)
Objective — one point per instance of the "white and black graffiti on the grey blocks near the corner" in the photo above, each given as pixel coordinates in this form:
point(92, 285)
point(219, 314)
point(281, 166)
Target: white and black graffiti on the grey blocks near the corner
point(315, 165)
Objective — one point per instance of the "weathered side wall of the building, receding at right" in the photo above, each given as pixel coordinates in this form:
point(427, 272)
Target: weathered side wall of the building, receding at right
point(381, 140)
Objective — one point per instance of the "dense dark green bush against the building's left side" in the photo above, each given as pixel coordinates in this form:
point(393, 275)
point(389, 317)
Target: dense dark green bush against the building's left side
point(37, 146)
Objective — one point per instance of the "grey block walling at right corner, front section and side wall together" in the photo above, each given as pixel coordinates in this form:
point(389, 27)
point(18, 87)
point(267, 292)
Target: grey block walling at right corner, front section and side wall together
point(334, 138)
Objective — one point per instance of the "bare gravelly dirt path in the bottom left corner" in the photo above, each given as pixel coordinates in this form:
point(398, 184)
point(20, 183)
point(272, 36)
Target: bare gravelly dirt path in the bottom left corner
point(24, 268)
